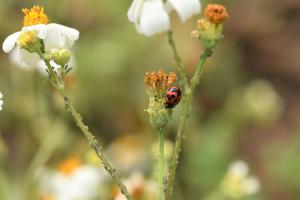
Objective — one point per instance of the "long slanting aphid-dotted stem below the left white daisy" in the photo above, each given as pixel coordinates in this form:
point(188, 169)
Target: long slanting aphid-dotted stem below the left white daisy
point(85, 130)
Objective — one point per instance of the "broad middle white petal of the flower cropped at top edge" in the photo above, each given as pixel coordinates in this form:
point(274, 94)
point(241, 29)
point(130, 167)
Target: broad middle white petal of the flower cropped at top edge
point(154, 19)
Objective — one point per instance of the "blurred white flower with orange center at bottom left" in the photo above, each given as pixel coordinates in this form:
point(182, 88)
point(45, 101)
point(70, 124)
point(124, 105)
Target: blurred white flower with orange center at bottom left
point(72, 181)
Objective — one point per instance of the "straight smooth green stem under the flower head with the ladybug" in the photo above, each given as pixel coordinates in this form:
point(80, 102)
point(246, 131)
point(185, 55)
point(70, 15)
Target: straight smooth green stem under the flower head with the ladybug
point(161, 163)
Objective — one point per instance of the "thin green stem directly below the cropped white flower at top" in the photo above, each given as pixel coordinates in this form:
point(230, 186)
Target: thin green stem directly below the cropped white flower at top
point(183, 82)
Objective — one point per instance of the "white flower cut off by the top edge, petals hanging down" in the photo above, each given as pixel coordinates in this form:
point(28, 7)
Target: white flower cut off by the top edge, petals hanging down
point(152, 16)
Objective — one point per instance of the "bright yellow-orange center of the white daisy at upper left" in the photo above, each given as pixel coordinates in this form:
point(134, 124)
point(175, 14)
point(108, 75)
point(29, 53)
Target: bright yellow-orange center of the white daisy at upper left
point(34, 16)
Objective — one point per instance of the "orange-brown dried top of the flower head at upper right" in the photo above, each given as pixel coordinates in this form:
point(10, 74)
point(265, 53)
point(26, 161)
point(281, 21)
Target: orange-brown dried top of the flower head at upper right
point(216, 13)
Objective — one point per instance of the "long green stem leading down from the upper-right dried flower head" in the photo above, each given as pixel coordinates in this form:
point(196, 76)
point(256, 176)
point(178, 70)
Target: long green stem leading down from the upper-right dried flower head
point(185, 115)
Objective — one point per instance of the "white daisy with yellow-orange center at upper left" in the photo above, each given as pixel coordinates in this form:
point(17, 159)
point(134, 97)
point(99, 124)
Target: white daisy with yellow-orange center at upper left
point(54, 36)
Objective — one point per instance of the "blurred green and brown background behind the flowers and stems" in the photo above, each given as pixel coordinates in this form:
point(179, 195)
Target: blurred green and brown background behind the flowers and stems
point(247, 106)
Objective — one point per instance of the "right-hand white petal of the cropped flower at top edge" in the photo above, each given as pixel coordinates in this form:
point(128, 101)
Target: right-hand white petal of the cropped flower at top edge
point(185, 8)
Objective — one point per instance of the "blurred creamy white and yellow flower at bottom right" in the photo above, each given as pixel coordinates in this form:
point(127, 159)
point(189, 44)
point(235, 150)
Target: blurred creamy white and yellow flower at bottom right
point(237, 182)
